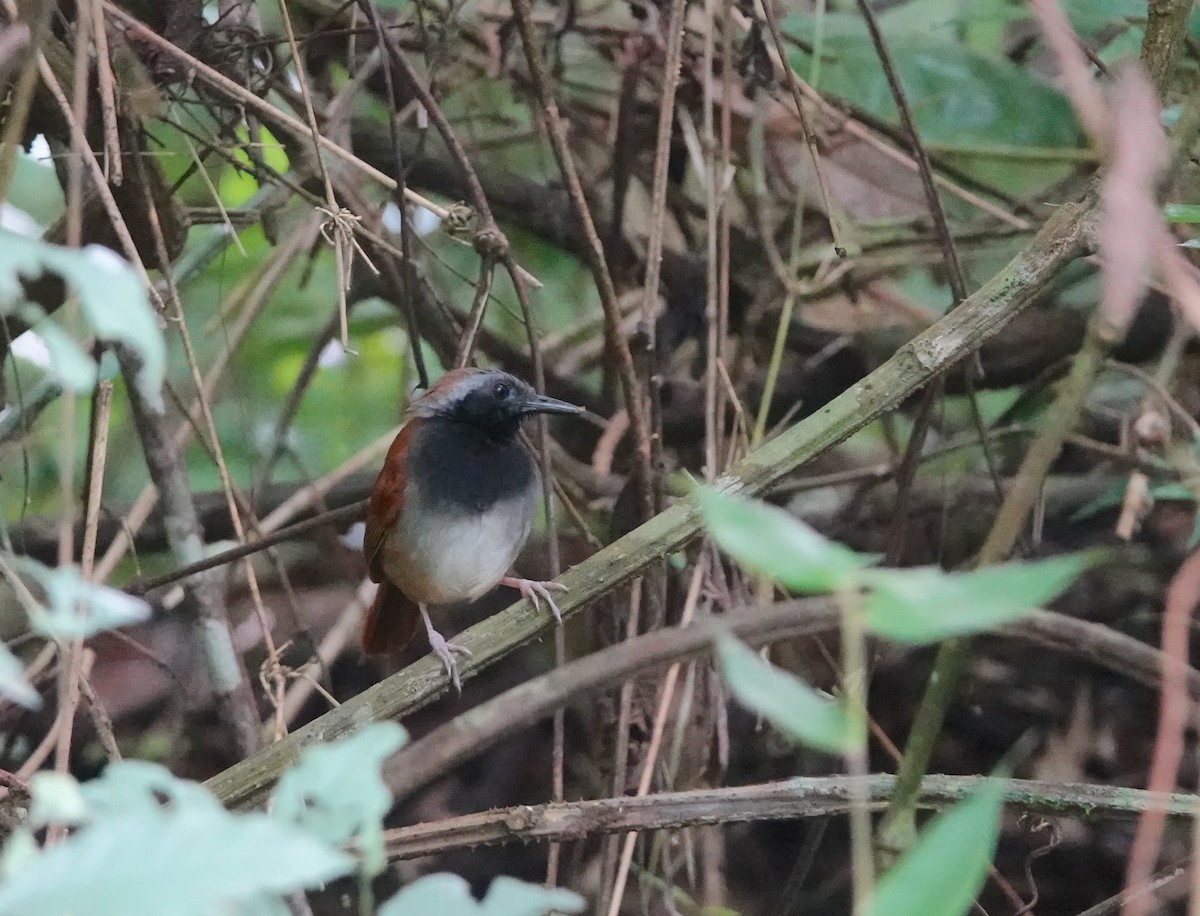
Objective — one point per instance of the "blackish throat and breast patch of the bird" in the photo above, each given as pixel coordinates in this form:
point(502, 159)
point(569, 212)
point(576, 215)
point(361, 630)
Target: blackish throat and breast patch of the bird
point(469, 468)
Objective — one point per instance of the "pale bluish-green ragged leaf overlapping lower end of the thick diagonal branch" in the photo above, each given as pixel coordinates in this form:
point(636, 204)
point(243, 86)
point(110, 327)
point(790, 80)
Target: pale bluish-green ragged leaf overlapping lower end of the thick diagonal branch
point(337, 793)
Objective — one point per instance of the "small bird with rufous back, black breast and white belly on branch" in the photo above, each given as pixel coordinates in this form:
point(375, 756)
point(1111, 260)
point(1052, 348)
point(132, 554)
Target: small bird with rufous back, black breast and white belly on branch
point(452, 508)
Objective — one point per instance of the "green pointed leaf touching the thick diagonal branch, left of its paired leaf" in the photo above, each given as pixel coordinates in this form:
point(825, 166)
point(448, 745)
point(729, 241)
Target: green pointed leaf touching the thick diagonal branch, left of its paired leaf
point(770, 541)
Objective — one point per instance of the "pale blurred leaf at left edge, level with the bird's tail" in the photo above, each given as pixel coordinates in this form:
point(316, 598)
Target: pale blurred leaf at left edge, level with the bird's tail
point(76, 609)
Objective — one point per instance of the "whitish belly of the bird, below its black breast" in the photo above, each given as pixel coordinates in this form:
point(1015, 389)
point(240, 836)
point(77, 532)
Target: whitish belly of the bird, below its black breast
point(463, 558)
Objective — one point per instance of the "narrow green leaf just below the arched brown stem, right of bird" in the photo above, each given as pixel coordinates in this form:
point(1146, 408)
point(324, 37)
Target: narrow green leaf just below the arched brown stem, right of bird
point(789, 704)
